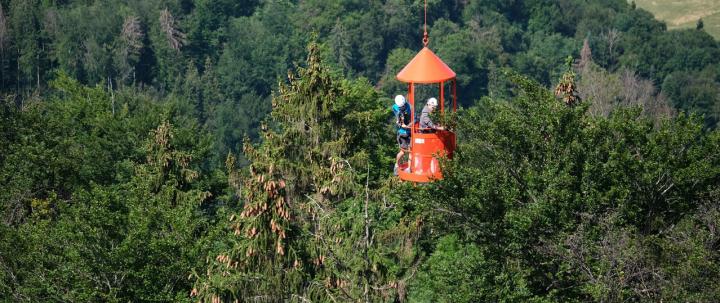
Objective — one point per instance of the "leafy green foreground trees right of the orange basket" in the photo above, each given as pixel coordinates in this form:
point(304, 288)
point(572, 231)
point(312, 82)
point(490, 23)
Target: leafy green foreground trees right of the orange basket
point(565, 205)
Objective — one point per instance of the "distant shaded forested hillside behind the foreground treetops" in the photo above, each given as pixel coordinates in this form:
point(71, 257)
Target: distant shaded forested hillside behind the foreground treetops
point(251, 44)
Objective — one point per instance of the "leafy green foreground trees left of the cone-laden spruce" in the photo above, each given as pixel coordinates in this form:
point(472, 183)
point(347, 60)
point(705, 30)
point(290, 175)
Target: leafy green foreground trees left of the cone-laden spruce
point(98, 210)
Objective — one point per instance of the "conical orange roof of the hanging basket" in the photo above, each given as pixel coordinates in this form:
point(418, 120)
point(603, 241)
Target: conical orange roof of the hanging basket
point(426, 67)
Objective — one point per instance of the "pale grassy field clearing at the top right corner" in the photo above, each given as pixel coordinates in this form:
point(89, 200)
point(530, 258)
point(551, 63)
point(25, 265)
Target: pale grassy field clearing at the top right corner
point(685, 13)
